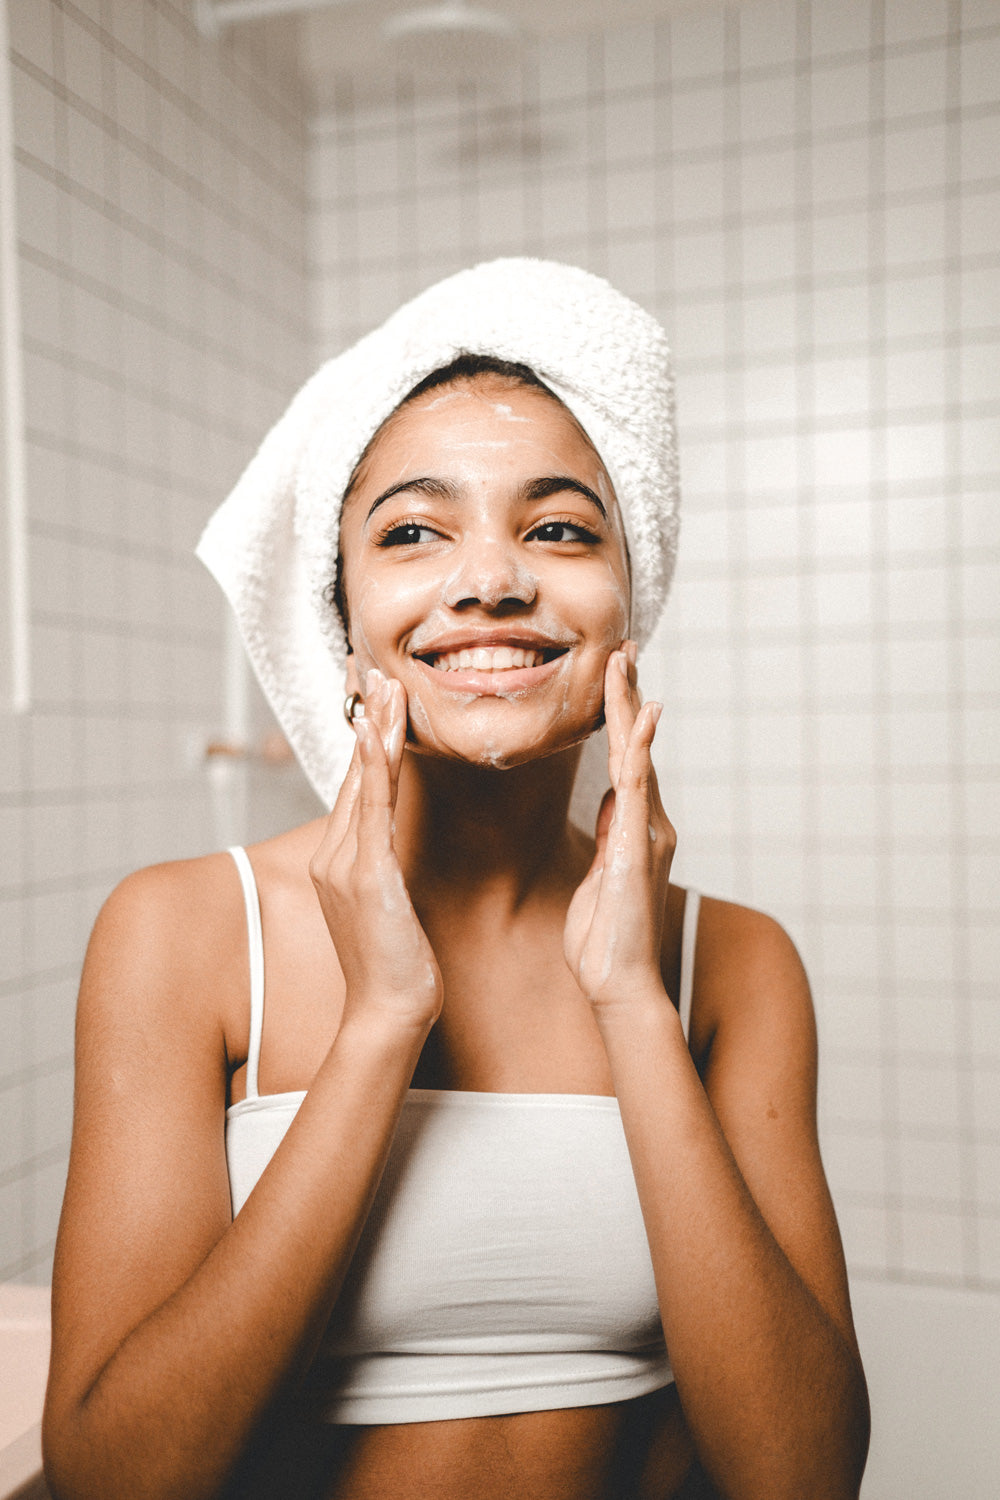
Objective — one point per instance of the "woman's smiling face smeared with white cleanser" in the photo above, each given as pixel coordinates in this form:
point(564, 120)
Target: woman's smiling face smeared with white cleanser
point(485, 566)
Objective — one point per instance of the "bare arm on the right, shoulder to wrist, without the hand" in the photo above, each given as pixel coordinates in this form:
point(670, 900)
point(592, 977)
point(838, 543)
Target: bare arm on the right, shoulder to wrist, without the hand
point(743, 1237)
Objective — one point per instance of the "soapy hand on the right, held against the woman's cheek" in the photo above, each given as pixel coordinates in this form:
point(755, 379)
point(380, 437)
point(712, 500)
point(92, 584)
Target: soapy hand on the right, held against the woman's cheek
point(615, 922)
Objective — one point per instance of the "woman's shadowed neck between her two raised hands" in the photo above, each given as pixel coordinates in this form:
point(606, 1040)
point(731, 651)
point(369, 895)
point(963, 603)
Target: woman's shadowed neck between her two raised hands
point(478, 829)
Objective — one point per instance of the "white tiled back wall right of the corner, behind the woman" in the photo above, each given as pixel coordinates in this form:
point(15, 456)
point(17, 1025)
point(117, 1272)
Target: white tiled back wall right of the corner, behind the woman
point(807, 194)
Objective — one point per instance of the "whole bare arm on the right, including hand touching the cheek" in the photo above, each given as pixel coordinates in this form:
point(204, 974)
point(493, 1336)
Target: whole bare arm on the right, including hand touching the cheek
point(744, 1244)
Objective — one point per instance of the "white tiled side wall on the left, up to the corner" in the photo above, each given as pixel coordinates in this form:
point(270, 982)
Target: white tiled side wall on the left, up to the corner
point(161, 203)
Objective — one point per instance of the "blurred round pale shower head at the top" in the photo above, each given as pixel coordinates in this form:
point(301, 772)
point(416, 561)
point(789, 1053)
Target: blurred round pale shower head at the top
point(452, 40)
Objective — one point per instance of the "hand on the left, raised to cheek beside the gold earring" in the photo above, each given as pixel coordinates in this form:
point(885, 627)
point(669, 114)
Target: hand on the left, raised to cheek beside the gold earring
point(389, 965)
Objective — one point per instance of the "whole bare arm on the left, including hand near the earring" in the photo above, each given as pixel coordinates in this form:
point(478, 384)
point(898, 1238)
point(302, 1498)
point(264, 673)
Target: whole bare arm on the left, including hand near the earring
point(176, 1330)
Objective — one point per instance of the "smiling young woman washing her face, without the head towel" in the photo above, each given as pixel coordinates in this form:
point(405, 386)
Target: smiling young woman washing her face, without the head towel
point(512, 1186)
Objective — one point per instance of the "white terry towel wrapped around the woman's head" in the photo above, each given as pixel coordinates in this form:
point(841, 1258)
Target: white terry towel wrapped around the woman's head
point(274, 544)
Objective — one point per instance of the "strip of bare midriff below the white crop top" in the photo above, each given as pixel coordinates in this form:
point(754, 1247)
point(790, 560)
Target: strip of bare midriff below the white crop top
point(624, 1451)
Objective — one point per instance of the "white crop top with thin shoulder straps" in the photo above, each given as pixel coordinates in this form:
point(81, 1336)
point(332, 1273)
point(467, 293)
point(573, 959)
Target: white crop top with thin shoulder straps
point(504, 1264)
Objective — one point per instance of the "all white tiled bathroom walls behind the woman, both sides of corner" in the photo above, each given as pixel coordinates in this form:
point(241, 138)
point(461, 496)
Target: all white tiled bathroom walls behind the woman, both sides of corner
point(807, 194)
